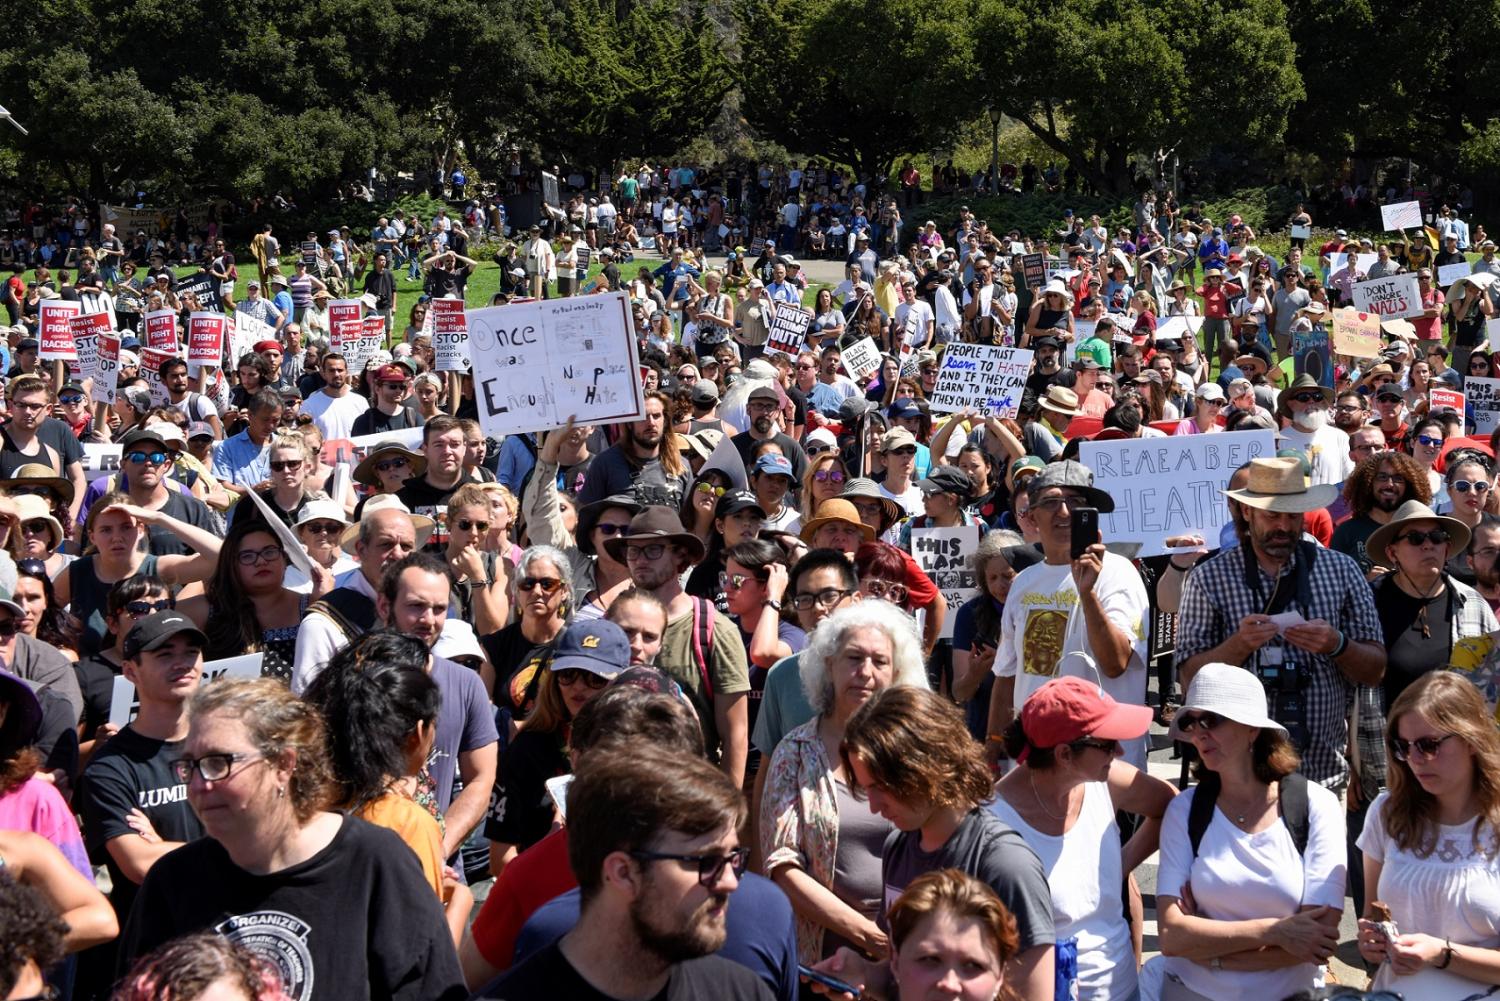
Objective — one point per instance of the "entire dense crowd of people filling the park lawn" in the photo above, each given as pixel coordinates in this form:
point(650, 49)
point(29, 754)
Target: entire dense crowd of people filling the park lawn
point(671, 709)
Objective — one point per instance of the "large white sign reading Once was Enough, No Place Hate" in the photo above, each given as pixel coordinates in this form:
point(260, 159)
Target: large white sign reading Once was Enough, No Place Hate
point(536, 364)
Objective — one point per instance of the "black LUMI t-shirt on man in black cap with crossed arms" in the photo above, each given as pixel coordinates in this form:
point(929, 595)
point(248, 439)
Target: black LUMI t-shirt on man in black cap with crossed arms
point(131, 772)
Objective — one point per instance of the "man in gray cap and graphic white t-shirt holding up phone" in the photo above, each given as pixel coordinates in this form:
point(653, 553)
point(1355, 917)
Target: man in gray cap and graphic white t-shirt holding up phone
point(1082, 612)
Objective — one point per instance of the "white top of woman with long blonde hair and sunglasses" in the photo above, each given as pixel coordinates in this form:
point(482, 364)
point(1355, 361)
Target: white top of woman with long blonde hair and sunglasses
point(1454, 894)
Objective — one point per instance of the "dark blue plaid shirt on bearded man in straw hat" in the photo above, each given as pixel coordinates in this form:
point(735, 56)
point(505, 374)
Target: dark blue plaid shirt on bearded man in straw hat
point(1214, 603)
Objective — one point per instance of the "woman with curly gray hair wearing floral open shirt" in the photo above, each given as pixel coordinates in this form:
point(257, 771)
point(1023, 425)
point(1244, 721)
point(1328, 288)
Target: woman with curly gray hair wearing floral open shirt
point(823, 846)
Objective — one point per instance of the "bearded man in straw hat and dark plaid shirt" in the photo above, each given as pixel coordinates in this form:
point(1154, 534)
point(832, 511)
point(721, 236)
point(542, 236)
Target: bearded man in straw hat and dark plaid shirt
point(1312, 666)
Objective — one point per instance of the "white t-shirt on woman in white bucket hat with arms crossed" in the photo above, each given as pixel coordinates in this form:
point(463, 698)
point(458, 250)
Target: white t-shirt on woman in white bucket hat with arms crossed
point(1243, 877)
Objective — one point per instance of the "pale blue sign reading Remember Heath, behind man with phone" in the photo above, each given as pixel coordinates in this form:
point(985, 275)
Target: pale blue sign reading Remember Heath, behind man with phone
point(1169, 487)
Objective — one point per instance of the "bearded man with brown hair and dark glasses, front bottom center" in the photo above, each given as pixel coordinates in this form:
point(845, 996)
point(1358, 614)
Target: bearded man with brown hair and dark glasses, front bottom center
point(656, 853)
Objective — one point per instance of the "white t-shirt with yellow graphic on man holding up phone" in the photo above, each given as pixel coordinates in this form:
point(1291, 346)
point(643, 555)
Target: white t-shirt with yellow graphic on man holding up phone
point(1037, 639)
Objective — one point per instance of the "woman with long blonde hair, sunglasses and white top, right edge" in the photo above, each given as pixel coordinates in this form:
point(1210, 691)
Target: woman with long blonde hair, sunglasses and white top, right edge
point(1432, 846)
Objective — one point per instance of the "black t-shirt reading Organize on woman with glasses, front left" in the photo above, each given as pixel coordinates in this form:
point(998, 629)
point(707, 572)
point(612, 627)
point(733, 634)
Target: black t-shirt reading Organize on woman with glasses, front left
point(356, 921)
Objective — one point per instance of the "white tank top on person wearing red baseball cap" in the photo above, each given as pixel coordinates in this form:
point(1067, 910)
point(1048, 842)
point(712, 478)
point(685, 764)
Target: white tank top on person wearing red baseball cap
point(1087, 892)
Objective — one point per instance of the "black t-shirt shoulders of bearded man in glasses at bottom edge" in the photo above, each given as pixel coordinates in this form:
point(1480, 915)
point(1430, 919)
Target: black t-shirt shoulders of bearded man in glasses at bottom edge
point(550, 976)
